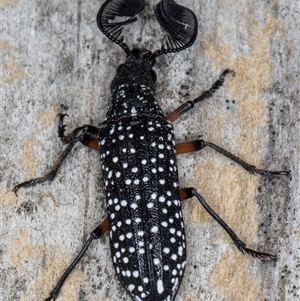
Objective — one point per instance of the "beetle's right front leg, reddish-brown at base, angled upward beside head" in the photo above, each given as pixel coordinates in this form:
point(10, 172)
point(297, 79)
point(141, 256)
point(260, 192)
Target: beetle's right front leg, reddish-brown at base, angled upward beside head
point(206, 94)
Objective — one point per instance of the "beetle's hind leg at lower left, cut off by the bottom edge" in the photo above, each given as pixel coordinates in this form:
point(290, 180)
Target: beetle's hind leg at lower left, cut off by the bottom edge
point(95, 234)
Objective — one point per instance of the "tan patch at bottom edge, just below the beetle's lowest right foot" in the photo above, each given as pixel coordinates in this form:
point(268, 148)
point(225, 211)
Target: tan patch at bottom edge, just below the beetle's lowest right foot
point(230, 279)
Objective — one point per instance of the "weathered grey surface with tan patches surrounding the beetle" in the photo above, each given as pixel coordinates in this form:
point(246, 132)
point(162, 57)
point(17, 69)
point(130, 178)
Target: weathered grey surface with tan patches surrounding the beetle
point(54, 59)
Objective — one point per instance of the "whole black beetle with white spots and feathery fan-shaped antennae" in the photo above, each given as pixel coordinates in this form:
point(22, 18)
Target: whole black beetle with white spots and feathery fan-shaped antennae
point(138, 155)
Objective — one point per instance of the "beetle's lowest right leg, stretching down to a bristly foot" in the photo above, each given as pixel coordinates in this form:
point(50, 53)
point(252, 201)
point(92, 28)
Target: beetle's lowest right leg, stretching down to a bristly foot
point(192, 192)
